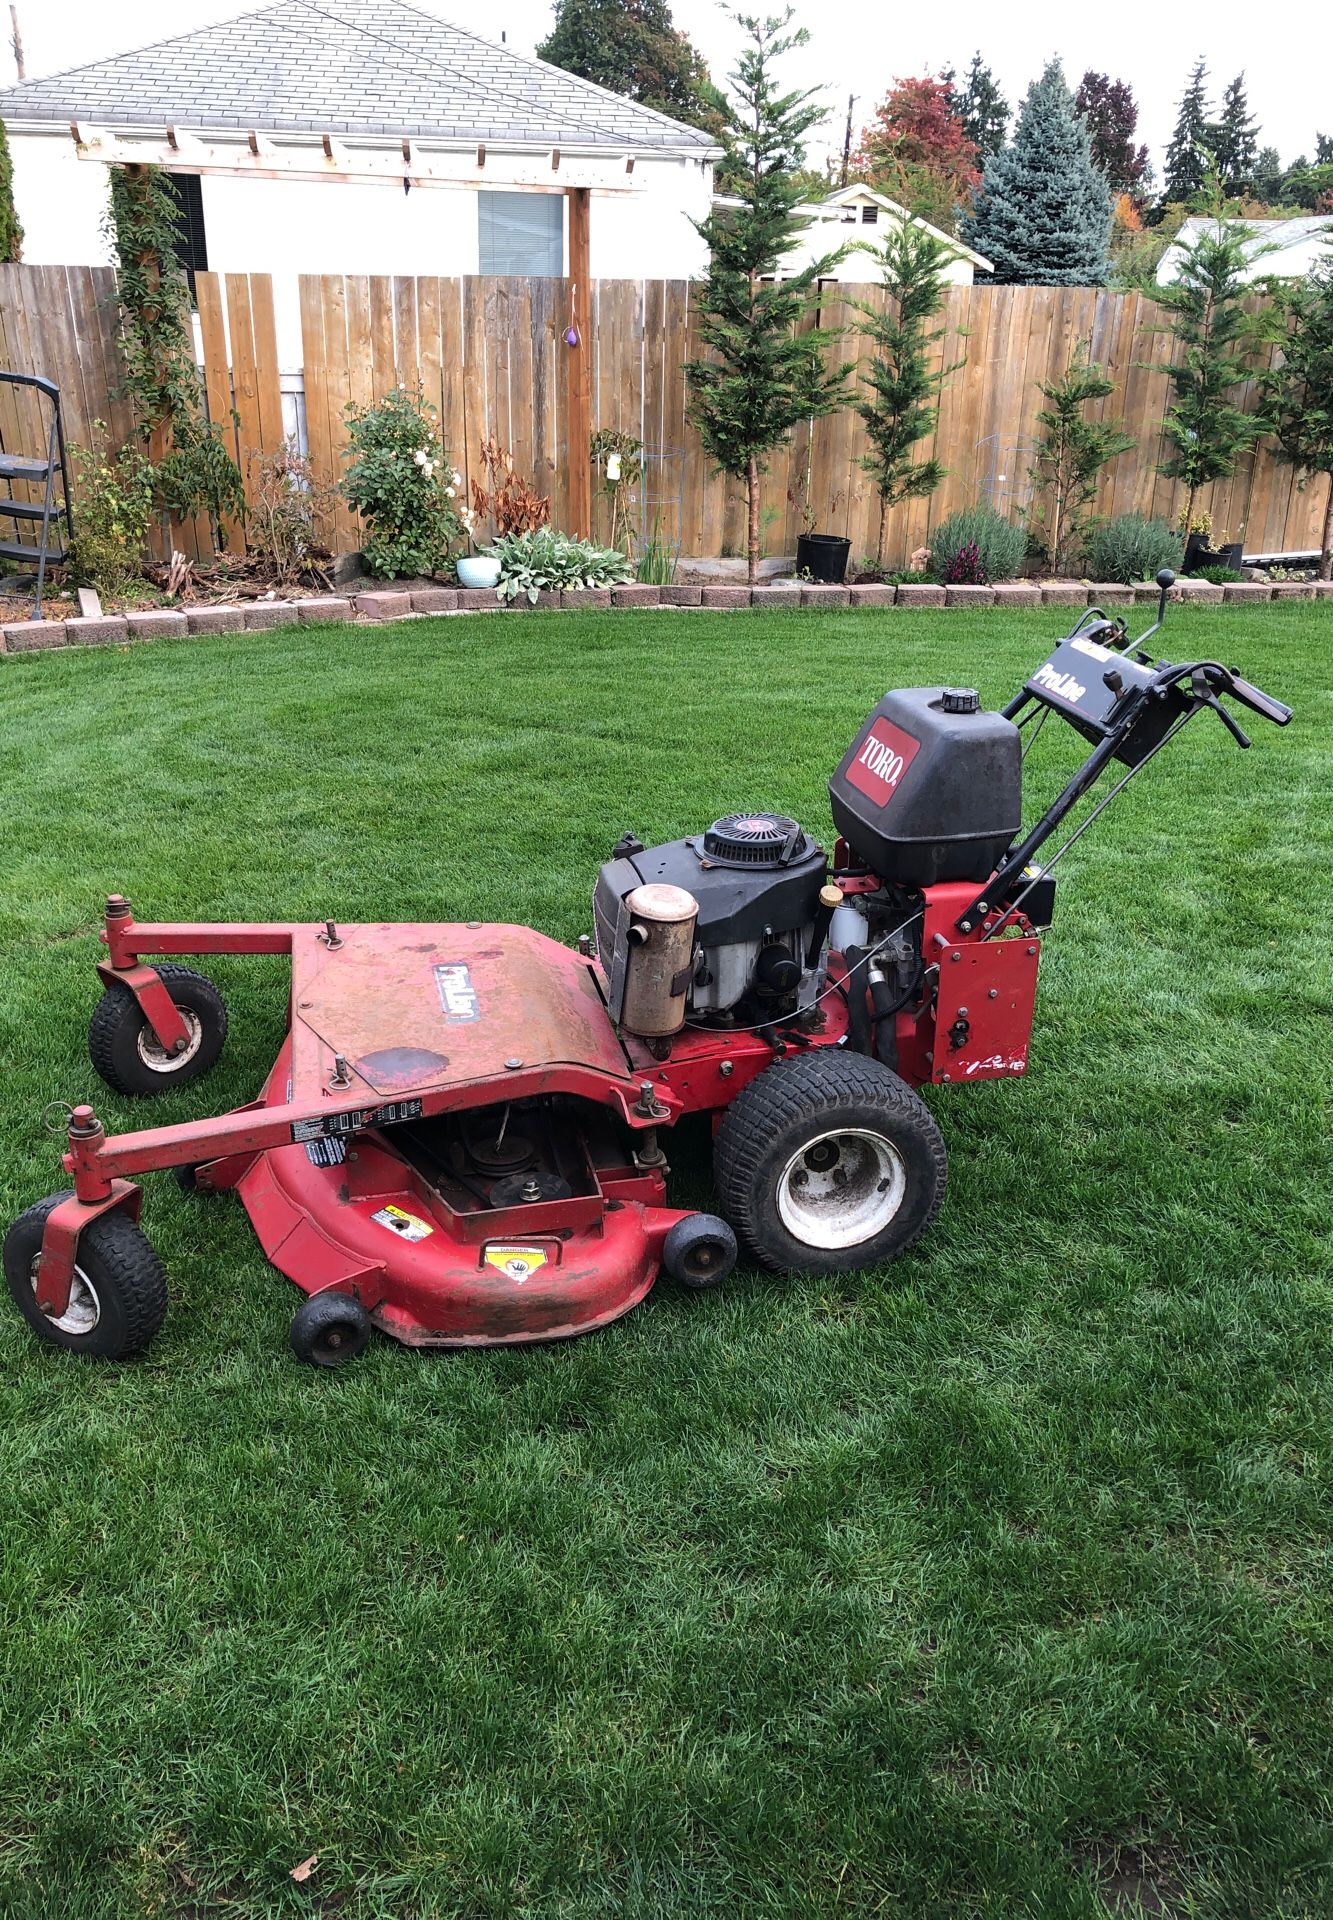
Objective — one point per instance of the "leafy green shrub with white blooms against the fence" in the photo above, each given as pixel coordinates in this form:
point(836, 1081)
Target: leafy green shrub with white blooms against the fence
point(400, 483)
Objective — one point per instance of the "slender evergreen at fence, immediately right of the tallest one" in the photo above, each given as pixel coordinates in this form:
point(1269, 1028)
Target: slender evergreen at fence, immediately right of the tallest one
point(902, 404)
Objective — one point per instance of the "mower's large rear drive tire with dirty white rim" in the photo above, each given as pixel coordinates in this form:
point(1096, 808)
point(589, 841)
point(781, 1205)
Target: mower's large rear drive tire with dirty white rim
point(829, 1163)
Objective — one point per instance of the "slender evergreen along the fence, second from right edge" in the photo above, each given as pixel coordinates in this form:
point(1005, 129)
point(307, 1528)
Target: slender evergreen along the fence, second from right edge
point(1207, 429)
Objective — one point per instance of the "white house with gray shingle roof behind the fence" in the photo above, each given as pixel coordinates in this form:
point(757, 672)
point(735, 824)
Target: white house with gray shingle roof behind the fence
point(360, 137)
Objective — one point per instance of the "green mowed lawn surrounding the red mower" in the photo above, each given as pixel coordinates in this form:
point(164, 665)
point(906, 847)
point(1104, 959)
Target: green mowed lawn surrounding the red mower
point(994, 1583)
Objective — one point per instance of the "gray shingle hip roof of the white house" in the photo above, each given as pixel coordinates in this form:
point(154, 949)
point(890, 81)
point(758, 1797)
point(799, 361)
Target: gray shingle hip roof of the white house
point(351, 68)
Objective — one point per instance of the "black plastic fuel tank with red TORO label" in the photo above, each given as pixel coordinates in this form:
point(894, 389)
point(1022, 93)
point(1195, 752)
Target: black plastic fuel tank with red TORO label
point(931, 788)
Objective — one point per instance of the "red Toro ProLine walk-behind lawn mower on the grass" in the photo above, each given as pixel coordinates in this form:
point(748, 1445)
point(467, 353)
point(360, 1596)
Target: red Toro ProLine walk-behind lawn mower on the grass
point(462, 1138)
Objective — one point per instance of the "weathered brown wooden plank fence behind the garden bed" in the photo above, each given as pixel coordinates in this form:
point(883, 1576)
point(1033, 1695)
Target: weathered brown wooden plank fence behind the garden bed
point(489, 352)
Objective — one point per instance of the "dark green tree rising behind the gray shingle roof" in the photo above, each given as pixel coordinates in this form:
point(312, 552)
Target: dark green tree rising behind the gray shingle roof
point(635, 49)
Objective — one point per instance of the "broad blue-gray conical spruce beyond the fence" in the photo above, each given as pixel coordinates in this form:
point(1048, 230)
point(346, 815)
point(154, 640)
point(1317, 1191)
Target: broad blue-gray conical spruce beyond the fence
point(1044, 210)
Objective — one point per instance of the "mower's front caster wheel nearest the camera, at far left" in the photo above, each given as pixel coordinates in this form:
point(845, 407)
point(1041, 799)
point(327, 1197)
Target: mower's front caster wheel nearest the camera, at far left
point(120, 1295)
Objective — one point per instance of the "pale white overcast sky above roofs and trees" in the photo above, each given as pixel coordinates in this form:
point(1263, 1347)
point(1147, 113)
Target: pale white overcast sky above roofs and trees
point(863, 47)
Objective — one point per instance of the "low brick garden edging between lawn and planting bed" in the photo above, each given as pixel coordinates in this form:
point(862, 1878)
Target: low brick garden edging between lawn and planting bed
point(391, 604)
